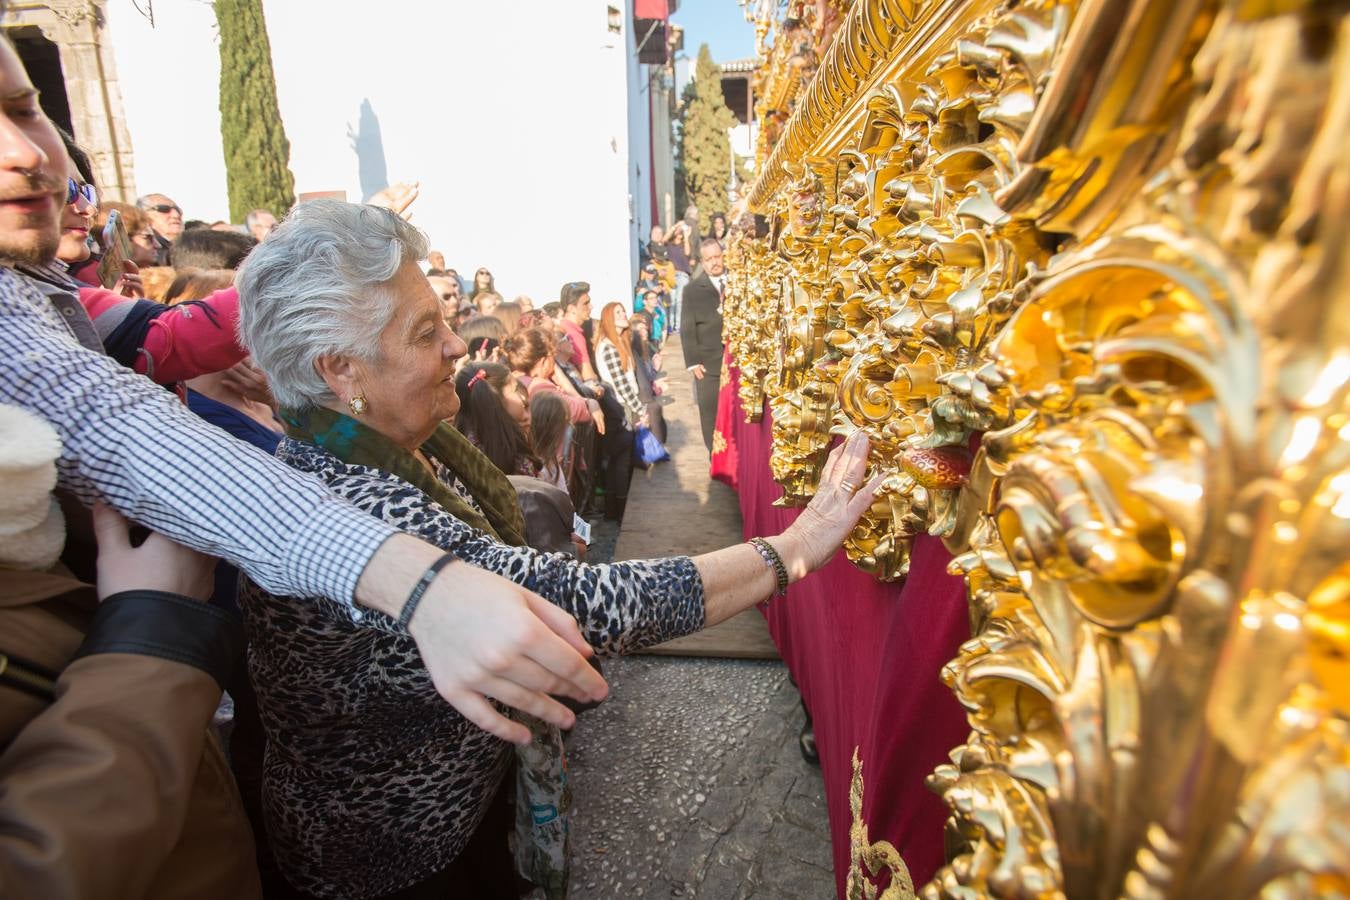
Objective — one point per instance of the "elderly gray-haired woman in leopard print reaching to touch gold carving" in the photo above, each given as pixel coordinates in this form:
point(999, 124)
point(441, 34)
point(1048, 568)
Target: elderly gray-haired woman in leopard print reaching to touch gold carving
point(375, 786)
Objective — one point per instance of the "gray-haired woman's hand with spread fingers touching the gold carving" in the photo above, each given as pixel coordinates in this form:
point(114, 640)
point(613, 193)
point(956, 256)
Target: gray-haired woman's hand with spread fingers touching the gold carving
point(840, 501)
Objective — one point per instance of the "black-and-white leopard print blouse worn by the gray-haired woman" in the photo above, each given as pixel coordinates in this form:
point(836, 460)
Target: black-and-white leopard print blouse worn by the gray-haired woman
point(372, 781)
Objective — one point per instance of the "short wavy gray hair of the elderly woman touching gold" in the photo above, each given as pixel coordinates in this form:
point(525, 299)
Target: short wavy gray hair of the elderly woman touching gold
point(318, 287)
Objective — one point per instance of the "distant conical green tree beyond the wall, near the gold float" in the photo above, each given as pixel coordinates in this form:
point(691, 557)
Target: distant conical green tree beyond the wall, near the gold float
point(705, 149)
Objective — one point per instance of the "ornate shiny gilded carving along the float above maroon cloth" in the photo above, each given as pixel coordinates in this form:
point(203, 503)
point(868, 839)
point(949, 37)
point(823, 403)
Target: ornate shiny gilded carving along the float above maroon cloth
point(1106, 245)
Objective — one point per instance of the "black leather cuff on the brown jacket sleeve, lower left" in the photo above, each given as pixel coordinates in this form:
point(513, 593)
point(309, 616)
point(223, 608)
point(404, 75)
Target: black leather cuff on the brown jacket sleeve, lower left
point(168, 627)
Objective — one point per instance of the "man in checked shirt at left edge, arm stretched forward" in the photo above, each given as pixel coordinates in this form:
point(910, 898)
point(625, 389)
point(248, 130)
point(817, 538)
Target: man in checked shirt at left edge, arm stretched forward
point(128, 443)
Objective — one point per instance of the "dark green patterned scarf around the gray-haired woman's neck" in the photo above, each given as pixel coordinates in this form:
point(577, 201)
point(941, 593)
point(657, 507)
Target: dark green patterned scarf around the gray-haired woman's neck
point(358, 445)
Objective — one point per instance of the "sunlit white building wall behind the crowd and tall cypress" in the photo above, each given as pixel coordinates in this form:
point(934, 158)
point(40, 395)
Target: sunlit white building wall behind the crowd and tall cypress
point(514, 117)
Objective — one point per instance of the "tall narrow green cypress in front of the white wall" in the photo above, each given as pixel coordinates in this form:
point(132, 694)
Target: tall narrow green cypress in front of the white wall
point(257, 152)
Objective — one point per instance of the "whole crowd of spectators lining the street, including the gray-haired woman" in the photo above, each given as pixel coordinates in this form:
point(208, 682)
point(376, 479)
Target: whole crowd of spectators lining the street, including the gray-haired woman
point(295, 466)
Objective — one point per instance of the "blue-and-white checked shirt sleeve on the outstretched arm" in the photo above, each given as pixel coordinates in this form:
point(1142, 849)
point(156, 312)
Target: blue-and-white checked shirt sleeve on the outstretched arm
point(132, 445)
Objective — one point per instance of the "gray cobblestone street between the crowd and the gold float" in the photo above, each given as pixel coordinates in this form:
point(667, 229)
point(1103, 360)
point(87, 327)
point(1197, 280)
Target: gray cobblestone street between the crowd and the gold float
point(688, 781)
